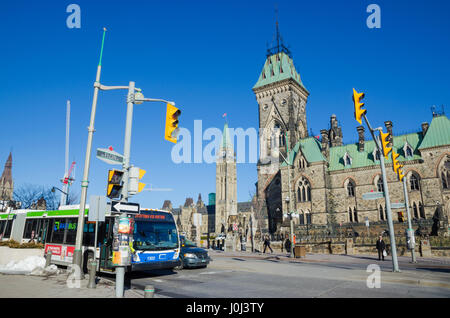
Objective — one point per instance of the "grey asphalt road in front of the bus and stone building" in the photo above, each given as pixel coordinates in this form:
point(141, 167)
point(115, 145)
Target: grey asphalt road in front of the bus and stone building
point(267, 276)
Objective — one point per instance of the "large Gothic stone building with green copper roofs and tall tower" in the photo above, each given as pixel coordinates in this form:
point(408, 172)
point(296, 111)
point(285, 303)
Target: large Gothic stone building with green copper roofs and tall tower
point(323, 180)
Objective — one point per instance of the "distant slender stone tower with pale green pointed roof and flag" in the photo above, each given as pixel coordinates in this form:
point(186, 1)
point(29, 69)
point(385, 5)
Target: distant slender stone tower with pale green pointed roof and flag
point(226, 189)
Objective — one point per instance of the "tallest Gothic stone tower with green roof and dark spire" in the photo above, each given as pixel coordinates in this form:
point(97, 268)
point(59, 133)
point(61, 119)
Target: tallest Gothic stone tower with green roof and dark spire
point(281, 99)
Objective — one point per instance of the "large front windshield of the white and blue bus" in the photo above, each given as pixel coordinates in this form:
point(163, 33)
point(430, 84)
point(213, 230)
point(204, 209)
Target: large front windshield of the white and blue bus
point(155, 236)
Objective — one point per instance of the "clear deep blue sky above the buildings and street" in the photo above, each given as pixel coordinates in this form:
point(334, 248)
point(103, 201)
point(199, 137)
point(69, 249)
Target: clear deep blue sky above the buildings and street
point(206, 56)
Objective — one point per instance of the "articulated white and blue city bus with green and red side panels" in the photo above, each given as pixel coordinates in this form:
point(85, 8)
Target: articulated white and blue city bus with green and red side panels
point(156, 242)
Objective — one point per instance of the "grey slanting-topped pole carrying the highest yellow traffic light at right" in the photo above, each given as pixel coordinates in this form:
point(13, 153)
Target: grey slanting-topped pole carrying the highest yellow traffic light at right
point(386, 196)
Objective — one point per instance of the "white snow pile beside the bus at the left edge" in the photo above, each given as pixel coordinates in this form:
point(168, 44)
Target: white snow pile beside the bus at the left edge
point(32, 265)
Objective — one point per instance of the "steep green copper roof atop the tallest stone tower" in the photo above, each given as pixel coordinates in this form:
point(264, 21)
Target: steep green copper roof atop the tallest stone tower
point(278, 67)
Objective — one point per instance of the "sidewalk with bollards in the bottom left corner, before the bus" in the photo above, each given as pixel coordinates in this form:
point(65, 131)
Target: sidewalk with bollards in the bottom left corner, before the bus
point(56, 286)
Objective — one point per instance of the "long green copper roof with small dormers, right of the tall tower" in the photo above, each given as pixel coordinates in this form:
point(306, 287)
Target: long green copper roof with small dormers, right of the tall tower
point(366, 158)
